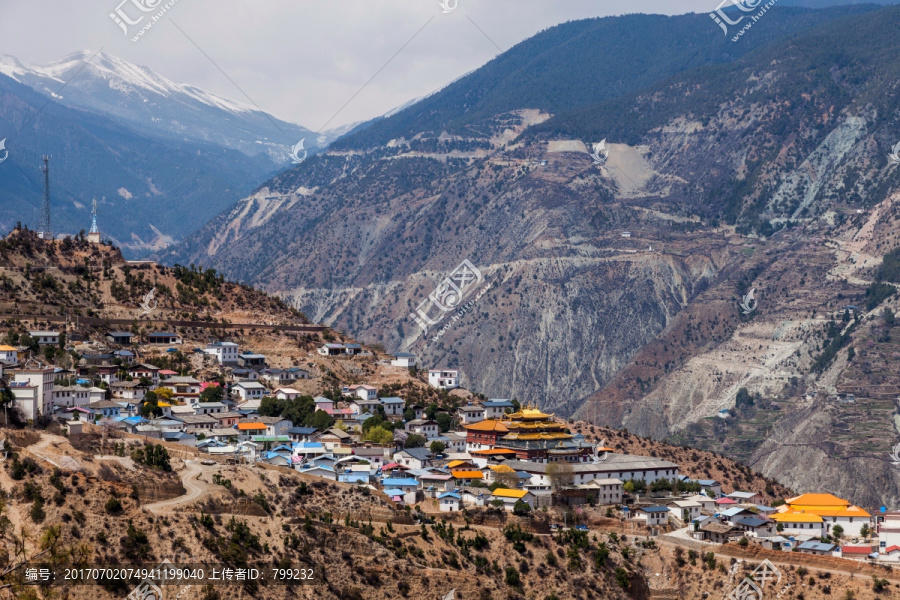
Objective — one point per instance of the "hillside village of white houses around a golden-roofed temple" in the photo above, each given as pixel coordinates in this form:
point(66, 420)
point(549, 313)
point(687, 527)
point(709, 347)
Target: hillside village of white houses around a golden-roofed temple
point(433, 457)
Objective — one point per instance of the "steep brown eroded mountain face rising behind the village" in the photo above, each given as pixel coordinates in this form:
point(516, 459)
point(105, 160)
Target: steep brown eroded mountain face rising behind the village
point(609, 286)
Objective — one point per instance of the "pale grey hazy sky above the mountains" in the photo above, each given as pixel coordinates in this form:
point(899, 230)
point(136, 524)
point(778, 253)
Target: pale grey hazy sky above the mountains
point(303, 60)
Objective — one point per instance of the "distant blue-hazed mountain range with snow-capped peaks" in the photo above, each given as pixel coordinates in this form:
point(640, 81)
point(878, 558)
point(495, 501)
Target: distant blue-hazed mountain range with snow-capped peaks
point(161, 158)
